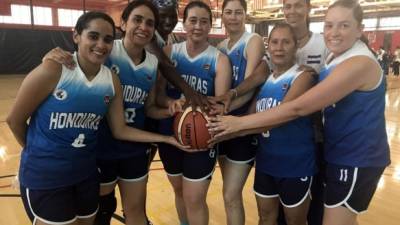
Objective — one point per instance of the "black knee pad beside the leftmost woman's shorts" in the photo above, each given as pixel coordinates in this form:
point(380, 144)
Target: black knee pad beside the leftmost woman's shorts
point(107, 207)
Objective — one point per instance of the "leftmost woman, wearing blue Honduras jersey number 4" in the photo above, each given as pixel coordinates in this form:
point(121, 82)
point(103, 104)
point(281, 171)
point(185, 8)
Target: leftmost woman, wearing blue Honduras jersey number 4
point(58, 162)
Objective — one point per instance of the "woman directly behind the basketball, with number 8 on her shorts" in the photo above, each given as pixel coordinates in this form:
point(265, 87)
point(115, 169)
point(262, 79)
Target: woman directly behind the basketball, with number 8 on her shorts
point(208, 72)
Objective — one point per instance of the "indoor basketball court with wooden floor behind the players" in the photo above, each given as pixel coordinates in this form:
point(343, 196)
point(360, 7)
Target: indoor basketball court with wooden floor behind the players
point(24, 39)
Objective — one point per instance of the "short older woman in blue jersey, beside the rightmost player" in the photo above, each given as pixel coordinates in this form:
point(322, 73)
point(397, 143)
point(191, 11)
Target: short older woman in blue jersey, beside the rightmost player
point(293, 142)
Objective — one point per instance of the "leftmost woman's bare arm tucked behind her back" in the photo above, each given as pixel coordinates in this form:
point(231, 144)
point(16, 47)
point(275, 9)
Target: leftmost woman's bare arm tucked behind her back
point(35, 88)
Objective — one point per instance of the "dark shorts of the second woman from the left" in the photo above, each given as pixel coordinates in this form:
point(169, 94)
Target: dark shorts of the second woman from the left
point(130, 169)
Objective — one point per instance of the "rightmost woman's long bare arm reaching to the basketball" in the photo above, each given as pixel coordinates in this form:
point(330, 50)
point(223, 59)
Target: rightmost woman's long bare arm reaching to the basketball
point(357, 73)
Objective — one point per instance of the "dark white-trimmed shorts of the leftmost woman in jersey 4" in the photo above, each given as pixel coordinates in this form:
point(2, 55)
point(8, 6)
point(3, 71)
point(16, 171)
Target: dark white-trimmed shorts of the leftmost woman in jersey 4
point(62, 205)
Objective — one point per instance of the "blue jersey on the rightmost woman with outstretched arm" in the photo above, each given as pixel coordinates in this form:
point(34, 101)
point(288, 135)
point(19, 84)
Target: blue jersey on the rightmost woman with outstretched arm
point(354, 127)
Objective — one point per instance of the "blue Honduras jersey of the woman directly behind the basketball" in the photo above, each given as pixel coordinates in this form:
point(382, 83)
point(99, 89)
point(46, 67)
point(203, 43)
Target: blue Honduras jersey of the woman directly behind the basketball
point(199, 72)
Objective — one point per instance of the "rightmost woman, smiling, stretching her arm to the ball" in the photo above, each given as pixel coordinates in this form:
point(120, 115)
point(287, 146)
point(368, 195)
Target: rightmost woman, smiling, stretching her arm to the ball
point(352, 94)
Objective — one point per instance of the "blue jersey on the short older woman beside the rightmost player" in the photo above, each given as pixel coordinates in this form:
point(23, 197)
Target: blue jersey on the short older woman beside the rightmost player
point(287, 150)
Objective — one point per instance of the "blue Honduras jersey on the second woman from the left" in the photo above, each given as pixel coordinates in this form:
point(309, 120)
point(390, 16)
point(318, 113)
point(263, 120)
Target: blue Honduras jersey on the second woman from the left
point(136, 81)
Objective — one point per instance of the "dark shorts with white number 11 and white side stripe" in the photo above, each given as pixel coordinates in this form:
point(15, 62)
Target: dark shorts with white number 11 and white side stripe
point(351, 187)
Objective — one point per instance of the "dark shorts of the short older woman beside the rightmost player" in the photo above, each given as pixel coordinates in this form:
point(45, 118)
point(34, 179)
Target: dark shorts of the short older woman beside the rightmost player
point(291, 191)
